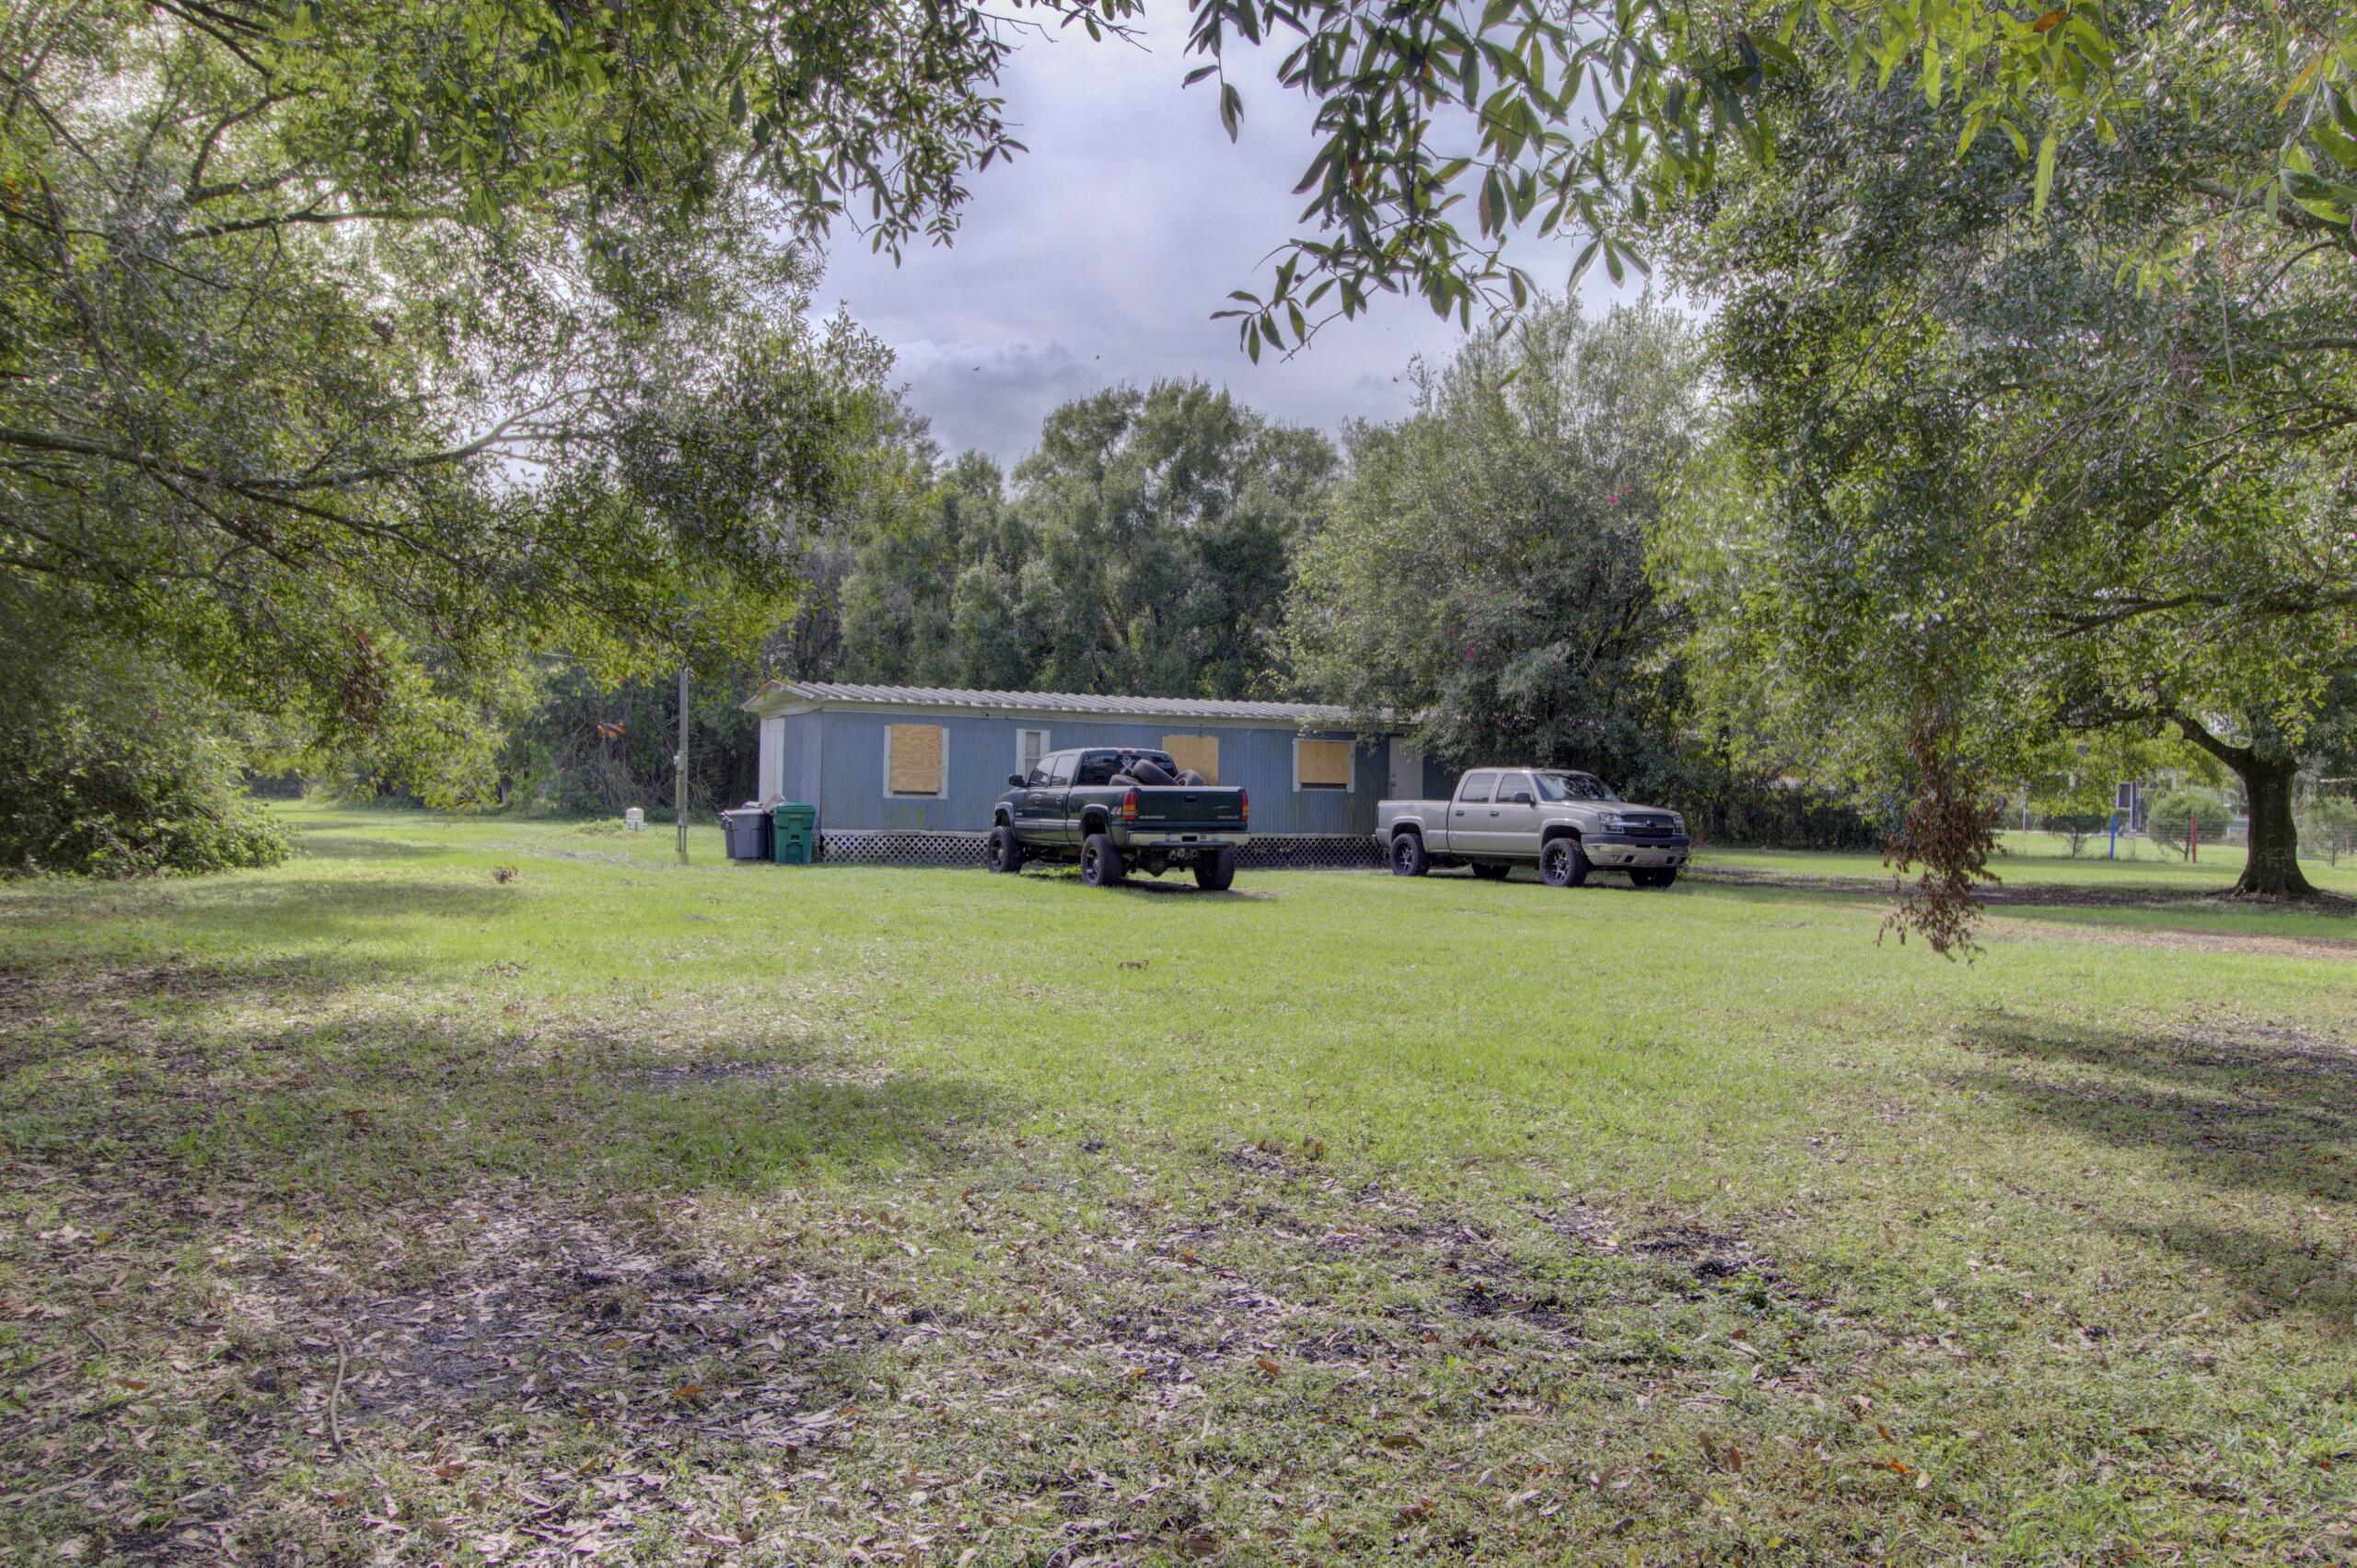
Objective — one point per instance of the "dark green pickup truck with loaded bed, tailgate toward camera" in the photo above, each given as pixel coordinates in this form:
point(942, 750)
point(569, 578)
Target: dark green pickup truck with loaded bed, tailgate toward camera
point(1090, 808)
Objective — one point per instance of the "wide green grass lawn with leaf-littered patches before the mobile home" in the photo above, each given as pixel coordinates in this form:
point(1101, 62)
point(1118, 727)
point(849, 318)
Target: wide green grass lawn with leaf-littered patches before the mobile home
point(499, 1192)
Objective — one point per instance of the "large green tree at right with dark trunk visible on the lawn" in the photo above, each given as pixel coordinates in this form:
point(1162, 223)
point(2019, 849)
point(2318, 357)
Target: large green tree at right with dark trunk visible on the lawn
point(1993, 485)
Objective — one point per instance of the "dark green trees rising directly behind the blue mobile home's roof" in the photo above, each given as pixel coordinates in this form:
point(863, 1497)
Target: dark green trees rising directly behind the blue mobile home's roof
point(1144, 548)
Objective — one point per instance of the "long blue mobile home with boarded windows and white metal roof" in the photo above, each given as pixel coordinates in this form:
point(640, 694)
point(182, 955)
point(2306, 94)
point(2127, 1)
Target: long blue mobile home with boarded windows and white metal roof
point(904, 772)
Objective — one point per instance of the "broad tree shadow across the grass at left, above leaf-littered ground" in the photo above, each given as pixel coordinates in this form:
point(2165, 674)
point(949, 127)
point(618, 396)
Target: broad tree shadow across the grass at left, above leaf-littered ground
point(350, 1102)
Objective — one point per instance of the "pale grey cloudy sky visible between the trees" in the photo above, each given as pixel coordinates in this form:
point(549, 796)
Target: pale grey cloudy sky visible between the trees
point(1102, 256)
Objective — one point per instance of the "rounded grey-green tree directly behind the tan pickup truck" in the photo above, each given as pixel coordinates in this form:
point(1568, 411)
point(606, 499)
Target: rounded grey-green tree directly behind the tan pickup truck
point(1484, 565)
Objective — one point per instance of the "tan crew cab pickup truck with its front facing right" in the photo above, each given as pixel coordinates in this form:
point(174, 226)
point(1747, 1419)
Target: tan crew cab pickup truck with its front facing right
point(1564, 824)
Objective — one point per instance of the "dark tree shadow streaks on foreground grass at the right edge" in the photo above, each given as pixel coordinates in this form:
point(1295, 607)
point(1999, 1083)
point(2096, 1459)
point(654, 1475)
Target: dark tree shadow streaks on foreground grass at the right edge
point(2252, 1107)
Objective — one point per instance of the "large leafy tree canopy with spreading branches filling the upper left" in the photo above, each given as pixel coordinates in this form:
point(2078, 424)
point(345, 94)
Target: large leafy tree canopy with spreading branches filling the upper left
point(348, 353)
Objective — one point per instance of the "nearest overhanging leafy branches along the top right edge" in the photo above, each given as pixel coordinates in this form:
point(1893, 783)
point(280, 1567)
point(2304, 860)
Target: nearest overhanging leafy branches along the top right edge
point(1444, 133)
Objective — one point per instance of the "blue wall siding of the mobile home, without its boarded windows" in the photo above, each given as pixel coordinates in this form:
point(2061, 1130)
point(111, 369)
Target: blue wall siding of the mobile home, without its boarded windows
point(836, 758)
